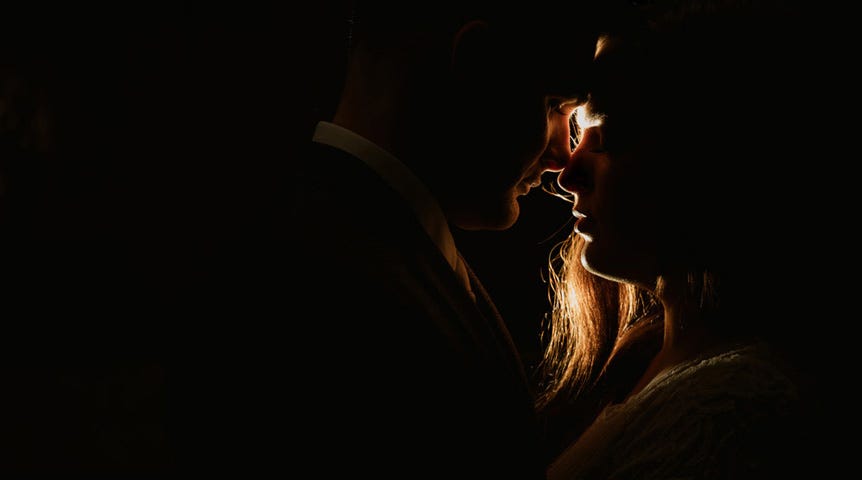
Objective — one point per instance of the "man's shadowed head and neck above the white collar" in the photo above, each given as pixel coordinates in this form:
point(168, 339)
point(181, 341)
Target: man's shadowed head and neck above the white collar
point(466, 93)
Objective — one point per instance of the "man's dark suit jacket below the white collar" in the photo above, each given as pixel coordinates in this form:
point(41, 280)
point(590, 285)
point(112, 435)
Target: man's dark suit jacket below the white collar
point(405, 376)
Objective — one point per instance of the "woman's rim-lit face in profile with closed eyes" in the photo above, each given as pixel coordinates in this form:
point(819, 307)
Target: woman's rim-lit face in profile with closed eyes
point(625, 193)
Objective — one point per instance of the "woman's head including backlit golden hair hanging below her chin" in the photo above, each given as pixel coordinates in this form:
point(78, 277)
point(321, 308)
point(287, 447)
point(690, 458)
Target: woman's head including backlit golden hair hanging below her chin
point(685, 168)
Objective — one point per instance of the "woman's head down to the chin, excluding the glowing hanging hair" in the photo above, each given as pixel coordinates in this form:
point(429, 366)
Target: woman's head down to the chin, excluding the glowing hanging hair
point(690, 126)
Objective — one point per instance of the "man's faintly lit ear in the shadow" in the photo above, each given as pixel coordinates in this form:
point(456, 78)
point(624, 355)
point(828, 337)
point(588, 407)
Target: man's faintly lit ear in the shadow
point(471, 51)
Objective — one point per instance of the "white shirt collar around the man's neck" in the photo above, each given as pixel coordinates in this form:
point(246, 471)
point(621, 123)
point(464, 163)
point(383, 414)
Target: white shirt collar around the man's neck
point(399, 177)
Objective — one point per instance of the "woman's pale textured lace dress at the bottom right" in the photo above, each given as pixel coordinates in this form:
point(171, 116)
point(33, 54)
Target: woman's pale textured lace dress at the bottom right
point(721, 416)
